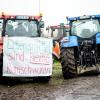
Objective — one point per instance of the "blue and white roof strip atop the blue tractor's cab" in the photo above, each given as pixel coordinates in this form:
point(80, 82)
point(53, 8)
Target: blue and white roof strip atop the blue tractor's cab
point(83, 17)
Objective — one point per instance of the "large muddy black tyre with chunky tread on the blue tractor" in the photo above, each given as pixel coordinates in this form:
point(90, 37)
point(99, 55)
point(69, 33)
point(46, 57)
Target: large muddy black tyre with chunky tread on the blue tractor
point(69, 69)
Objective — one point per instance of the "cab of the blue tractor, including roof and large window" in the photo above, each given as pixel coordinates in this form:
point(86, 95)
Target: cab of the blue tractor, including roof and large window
point(85, 27)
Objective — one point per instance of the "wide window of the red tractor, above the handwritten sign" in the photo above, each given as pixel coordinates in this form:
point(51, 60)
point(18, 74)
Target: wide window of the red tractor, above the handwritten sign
point(21, 28)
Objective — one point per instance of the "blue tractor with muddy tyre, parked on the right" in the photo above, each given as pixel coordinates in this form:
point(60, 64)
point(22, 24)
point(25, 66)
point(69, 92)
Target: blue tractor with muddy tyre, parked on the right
point(80, 49)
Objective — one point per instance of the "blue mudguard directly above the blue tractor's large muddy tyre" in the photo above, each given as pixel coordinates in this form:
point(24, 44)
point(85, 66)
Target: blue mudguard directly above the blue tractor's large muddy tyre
point(70, 41)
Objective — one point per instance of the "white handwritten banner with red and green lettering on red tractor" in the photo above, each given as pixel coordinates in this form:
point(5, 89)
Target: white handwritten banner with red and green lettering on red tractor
point(27, 57)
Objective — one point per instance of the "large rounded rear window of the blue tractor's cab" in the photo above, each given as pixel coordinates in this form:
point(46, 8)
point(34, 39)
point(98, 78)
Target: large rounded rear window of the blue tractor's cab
point(85, 28)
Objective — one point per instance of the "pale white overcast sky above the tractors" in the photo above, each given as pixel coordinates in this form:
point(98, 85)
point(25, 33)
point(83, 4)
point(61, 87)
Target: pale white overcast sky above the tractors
point(54, 11)
